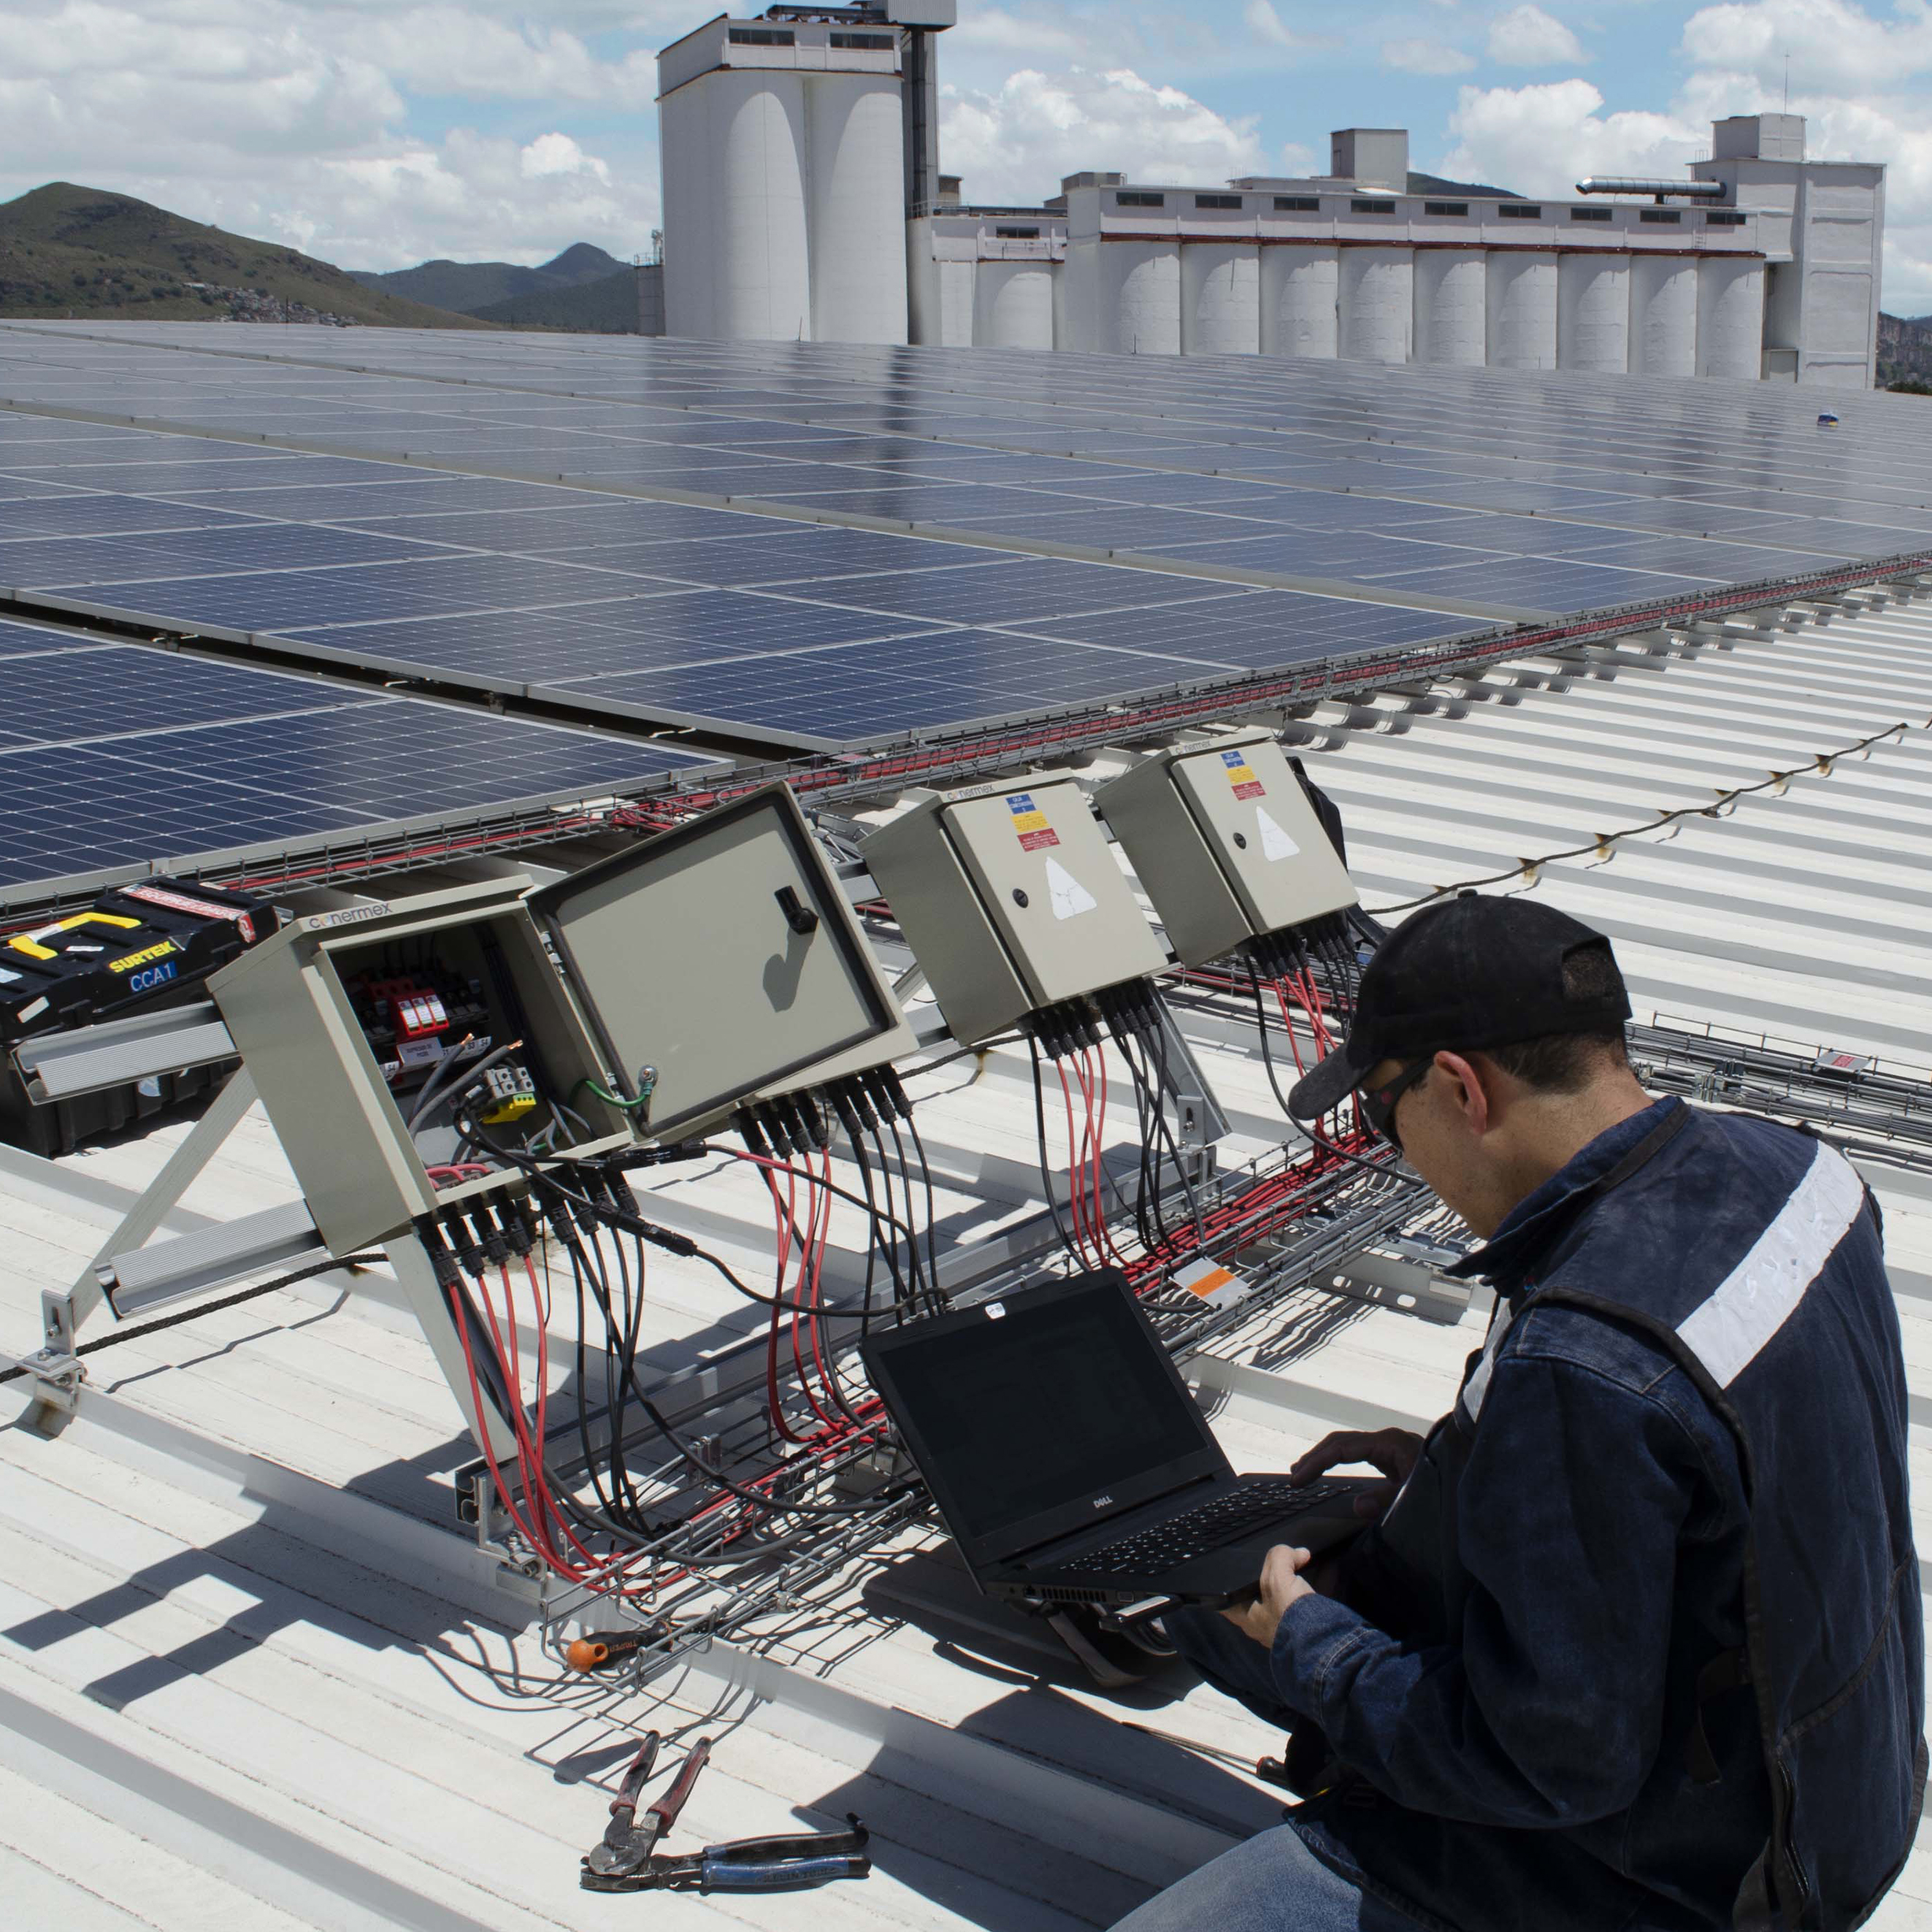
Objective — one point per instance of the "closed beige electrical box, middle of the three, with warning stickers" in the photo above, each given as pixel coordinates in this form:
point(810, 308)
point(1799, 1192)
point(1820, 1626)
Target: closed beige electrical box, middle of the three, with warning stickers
point(1011, 899)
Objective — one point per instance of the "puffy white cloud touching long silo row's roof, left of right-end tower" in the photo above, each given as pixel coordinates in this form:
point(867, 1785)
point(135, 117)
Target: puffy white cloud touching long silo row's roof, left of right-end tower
point(1545, 138)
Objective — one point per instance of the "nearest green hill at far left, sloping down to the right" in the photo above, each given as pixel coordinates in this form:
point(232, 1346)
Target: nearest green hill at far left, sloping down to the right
point(99, 256)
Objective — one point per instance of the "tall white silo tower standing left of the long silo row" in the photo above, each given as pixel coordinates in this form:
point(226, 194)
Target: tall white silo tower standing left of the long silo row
point(795, 148)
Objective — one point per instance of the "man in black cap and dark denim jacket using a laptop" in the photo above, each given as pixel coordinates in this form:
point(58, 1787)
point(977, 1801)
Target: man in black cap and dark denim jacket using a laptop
point(1637, 1643)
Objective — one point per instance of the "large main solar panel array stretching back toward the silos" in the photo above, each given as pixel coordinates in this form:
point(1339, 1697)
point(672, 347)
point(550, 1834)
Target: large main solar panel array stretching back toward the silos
point(820, 546)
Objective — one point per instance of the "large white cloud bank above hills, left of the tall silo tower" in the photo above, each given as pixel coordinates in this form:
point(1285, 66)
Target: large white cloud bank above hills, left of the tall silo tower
point(293, 123)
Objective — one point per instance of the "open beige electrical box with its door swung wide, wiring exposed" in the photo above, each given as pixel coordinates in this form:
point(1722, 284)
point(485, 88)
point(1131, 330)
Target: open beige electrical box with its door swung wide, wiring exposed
point(633, 1002)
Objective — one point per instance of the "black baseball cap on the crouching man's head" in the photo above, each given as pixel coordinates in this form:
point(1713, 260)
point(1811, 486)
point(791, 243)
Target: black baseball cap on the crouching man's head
point(1471, 973)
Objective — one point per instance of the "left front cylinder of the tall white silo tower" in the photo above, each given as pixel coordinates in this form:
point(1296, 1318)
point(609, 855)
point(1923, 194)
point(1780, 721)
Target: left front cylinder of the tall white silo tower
point(762, 287)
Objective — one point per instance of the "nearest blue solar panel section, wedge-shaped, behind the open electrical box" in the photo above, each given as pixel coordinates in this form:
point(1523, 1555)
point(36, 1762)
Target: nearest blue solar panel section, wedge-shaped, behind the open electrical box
point(119, 760)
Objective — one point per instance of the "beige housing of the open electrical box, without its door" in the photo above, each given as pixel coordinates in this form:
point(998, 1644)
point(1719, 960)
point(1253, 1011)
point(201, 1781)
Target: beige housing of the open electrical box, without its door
point(289, 1011)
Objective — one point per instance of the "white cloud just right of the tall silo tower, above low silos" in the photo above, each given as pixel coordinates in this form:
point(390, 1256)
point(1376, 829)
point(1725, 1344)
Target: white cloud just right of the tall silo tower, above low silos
point(1017, 142)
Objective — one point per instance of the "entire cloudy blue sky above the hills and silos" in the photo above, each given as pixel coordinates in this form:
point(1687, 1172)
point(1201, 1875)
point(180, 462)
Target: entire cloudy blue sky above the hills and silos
point(382, 134)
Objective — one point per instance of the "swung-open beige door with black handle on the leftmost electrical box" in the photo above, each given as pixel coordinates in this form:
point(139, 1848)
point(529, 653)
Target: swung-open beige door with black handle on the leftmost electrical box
point(724, 957)
